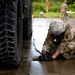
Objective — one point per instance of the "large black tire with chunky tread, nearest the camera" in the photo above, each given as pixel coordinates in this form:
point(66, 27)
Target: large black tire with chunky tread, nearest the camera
point(11, 32)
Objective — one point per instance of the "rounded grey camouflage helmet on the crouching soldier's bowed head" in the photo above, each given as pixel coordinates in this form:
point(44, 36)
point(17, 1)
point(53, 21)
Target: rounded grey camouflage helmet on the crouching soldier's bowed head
point(57, 27)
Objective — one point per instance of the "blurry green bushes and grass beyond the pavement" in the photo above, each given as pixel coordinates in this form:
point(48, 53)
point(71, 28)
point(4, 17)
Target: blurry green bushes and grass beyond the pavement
point(53, 10)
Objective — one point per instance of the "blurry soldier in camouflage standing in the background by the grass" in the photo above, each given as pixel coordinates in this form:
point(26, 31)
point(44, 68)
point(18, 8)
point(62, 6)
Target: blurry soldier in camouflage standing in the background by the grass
point(64, 8)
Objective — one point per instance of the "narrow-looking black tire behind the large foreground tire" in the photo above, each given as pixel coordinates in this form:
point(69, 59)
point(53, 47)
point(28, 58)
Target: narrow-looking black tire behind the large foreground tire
point(27, 21)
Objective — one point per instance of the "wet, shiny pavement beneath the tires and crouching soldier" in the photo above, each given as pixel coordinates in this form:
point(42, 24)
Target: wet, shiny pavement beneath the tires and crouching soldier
point(29, 67)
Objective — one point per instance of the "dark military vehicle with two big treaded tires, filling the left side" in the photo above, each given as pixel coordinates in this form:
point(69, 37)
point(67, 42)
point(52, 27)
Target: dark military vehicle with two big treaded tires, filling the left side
point(15, 26)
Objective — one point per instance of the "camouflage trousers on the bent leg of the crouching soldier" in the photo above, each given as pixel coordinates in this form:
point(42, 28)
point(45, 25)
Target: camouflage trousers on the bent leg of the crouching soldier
point(69, 51)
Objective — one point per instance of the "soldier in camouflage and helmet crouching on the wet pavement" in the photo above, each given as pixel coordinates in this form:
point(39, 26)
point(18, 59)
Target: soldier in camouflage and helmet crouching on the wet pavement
point(60, 41)
